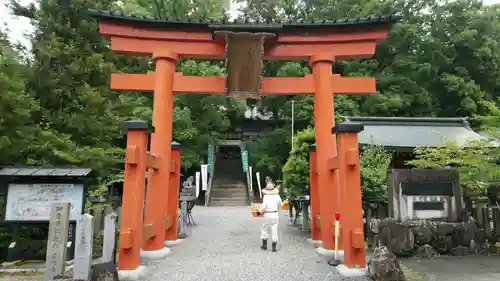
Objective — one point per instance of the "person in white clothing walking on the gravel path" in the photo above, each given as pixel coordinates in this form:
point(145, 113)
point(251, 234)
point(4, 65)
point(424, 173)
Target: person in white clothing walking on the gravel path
point(270, 207)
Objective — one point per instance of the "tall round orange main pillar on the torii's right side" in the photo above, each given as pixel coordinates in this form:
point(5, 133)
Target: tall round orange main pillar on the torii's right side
point(325, 144)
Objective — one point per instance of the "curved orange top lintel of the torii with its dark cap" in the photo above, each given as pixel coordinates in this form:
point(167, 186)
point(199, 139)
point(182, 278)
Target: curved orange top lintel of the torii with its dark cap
point(344, 39)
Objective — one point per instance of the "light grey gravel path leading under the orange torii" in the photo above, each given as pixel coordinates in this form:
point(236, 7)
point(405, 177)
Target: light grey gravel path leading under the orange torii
point(225, 245)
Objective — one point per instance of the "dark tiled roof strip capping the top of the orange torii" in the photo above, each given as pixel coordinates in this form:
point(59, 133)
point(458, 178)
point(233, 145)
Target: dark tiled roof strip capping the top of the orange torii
point(242, 25)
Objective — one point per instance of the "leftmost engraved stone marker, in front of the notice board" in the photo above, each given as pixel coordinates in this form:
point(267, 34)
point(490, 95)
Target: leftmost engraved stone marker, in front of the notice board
point(58, 238)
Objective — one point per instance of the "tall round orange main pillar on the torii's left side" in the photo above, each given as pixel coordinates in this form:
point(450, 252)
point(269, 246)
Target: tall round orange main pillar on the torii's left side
point(158, 178)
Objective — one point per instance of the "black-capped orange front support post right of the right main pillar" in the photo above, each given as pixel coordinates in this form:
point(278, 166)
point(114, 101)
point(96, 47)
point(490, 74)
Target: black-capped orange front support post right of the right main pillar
point(350, 185)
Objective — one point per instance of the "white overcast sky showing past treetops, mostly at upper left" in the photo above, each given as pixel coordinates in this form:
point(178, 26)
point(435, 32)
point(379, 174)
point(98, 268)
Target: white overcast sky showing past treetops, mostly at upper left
point(19, 27)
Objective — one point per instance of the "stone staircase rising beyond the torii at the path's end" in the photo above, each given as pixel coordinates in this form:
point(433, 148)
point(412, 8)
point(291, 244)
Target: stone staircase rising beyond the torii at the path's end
point(228, 188)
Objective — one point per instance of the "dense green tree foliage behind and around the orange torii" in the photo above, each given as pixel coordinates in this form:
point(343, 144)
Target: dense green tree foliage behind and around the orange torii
point(442, 59)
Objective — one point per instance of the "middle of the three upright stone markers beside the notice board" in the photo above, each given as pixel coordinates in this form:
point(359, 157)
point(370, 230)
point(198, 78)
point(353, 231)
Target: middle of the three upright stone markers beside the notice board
point(83, 247)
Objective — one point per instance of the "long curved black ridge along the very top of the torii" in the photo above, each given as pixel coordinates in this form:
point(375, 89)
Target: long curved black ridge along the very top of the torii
point(277, 24)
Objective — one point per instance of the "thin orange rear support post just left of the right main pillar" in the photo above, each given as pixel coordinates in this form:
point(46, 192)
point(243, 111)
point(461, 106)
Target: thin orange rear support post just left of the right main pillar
point(314, 193)
